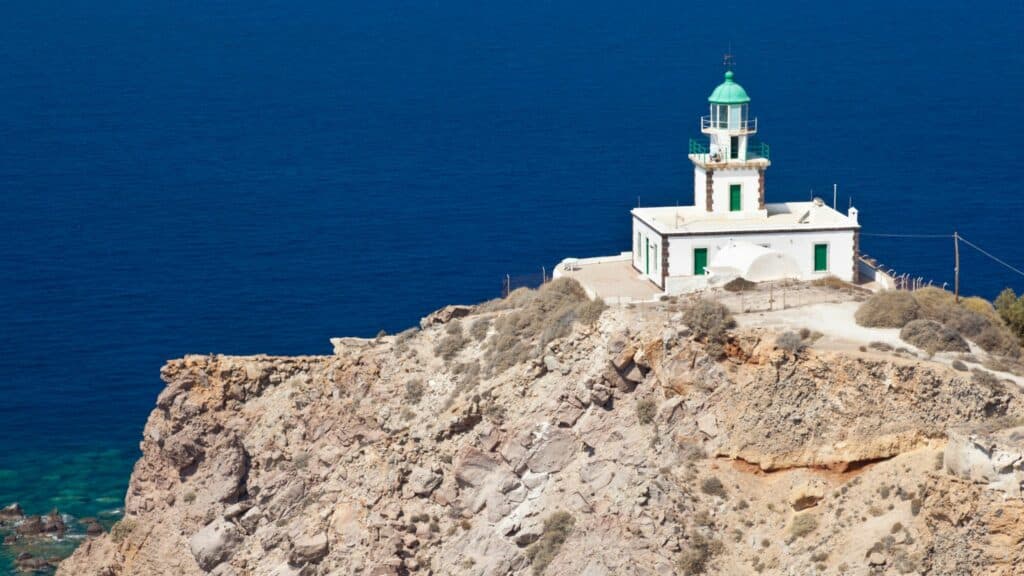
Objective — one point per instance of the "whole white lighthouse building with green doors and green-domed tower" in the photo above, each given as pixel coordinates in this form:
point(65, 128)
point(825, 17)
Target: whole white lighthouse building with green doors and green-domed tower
point(732, 231)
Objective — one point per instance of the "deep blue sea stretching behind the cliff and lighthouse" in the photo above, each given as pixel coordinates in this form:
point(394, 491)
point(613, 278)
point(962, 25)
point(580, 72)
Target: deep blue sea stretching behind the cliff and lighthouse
point(242, 178)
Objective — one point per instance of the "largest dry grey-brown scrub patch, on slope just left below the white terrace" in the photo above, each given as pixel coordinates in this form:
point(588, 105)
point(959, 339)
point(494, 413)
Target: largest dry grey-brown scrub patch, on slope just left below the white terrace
point(538, 318)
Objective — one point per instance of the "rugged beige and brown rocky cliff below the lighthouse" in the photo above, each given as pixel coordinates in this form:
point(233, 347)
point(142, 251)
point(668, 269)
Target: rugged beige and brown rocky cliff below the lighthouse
point(545, 434)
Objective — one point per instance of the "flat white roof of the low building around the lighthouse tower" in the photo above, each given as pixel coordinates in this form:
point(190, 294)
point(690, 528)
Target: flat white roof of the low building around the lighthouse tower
point(787, 217)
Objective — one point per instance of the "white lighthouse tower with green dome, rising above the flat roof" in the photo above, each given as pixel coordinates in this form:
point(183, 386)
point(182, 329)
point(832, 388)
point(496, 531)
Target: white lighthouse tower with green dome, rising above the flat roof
point(730, 170)
